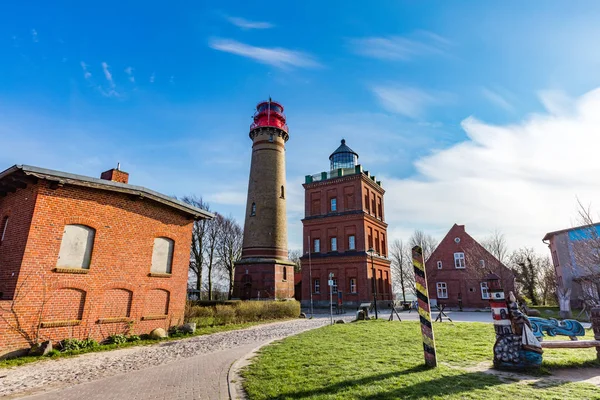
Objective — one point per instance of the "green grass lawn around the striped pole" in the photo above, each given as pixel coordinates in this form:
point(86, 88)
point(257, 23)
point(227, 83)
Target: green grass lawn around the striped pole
point(384, 360)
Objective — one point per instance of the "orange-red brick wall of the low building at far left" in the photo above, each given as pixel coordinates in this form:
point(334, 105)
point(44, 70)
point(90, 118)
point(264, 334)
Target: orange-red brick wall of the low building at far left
point(120, 262)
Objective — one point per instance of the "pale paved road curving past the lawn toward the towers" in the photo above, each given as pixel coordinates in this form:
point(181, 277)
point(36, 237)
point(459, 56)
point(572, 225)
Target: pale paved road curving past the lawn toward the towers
point(199, 374)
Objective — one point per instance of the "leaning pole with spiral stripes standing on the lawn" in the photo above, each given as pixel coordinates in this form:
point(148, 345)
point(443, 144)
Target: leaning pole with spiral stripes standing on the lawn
point(424, 310)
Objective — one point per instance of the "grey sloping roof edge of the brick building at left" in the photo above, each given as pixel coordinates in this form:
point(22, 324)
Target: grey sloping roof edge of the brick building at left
point(79, 180)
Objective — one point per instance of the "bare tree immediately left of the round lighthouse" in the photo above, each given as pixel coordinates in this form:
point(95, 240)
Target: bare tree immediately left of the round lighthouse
point(229, 248)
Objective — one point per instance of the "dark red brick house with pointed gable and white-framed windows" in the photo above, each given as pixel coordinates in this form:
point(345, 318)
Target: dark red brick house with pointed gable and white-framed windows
point(448, 284)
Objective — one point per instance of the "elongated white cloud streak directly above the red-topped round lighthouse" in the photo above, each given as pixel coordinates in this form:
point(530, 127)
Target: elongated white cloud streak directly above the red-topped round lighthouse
point(278, 57)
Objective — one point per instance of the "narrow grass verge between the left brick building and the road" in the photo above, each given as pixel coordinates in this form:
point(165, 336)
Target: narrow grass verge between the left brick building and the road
point(14, 362)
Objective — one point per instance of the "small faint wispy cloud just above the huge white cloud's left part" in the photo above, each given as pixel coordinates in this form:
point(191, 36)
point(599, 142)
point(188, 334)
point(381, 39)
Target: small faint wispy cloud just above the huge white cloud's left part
point(408, 101)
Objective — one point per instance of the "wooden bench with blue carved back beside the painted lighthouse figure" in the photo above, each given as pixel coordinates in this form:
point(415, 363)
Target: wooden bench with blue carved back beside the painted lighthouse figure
point(567, 327)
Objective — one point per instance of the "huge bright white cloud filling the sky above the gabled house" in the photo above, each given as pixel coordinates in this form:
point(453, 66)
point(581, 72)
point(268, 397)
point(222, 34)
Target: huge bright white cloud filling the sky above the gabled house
point(522, 179)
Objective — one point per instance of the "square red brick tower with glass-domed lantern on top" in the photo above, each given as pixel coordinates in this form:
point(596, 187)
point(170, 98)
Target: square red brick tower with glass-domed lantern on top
point(344, 219)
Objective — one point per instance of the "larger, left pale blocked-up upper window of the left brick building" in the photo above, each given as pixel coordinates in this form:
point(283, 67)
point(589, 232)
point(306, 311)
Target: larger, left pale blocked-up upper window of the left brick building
point(76, 247)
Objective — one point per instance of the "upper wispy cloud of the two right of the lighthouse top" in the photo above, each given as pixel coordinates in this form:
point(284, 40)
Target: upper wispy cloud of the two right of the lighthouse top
point(400, 48)
